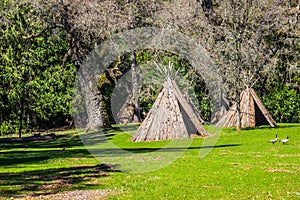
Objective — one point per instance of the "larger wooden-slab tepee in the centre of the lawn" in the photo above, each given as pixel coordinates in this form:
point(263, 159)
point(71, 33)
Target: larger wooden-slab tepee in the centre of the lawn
point(171, 117)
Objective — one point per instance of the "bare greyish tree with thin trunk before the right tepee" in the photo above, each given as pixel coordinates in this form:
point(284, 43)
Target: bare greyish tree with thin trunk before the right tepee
point(250, 53)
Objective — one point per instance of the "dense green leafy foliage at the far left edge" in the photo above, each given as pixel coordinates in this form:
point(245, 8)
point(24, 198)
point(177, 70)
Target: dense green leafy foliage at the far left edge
point(36, 90)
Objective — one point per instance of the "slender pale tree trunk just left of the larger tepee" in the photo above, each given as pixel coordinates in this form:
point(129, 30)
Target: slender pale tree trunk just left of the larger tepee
point(135, 92)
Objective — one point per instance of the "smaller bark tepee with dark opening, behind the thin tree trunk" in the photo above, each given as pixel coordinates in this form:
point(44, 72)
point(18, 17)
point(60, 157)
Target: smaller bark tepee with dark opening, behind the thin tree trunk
point(253, 112)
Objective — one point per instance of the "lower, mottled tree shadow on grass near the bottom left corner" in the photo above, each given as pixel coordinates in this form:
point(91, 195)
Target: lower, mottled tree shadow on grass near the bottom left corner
point(50, 181)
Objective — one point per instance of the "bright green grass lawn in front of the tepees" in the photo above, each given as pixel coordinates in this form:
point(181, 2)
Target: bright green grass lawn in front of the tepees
point(242, 165)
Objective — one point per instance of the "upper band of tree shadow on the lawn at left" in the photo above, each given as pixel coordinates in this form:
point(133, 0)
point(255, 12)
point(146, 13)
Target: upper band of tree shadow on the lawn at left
point(66, 146)
